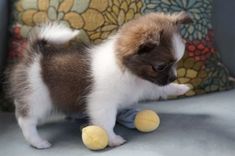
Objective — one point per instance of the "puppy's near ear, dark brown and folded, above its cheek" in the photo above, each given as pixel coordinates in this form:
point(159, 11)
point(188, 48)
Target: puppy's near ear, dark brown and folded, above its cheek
point(151, 41)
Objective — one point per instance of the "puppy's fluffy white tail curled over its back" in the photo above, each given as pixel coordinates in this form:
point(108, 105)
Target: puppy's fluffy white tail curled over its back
point(53, 33)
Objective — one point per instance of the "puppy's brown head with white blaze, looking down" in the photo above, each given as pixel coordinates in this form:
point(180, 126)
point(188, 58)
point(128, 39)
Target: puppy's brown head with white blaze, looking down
point(151, 45)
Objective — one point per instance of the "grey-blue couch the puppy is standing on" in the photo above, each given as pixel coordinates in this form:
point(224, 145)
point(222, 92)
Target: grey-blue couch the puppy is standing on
point(201, 125)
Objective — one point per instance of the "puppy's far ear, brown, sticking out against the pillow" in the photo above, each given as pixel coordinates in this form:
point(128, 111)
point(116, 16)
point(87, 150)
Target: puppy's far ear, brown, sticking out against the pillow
point(182, 18)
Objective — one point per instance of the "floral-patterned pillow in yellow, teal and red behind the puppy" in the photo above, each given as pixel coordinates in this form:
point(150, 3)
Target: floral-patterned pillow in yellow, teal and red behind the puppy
point(97, 19)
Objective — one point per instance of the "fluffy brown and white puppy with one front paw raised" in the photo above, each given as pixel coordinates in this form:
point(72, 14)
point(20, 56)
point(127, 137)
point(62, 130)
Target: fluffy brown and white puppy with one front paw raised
point(137, 63)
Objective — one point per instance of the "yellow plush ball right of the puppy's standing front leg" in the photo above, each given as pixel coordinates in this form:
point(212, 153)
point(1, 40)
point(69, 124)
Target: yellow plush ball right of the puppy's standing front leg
point(147, 121)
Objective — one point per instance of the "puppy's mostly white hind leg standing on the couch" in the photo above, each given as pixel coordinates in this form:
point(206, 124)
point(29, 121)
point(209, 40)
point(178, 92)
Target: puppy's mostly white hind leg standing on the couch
point(34, 97)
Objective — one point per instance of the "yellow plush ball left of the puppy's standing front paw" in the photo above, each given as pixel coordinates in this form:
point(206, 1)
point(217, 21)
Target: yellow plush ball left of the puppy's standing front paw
point(94, 137)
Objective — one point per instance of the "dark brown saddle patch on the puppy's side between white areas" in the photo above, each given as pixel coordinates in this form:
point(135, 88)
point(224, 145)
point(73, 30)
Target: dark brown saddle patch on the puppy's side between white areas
point(66, 73)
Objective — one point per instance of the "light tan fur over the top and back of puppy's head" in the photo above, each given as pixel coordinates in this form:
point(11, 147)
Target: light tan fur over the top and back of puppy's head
point(146, 29)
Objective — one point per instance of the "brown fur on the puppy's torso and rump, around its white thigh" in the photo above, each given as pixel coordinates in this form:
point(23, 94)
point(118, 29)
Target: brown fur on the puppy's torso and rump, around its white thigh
point(65, 70)
